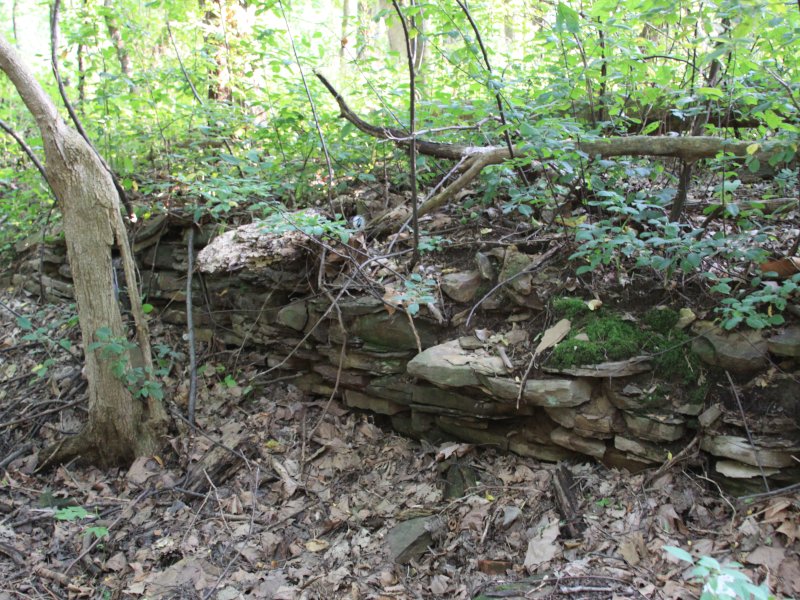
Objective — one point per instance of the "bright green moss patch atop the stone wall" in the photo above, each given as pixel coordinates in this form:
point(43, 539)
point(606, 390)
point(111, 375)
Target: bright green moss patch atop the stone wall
point(602, 336)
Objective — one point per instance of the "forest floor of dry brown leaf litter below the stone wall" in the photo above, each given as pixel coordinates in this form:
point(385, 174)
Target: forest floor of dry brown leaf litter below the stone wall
point(311, 501)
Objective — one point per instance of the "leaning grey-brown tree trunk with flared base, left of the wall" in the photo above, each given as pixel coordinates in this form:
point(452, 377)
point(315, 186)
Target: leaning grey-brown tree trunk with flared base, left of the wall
point(120, 427)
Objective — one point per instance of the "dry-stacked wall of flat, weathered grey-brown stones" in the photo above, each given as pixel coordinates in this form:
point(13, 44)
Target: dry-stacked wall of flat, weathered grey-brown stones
point(260, 290)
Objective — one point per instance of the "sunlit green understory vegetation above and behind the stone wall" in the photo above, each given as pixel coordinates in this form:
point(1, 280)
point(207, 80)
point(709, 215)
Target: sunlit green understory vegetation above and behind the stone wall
point(217, 113)
